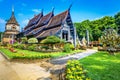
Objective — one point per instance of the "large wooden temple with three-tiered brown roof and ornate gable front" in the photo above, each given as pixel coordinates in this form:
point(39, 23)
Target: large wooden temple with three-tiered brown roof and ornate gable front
point(42, 26)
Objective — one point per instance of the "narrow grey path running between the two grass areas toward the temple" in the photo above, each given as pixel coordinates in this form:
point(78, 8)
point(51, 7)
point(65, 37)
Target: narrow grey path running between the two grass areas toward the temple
point(63, 60)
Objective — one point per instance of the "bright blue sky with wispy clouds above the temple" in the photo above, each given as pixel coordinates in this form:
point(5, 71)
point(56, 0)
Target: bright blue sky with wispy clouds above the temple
point(80, 10)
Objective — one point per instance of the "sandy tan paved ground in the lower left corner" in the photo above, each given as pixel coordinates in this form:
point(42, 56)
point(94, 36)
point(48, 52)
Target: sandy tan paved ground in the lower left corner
point(20, 71)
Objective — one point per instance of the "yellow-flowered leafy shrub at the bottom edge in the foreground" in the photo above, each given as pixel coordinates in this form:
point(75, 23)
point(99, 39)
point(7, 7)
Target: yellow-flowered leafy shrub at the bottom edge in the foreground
point(75, 71)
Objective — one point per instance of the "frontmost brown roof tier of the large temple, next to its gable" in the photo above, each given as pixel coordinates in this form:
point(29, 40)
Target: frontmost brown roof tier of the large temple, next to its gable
point(54, 25)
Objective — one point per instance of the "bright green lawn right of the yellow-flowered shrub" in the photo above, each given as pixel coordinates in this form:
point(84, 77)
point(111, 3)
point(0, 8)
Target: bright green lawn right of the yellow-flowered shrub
point(102, 66)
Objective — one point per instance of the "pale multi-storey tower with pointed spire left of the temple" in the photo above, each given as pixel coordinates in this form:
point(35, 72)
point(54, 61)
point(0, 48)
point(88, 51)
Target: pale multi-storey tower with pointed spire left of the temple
point(12, 28)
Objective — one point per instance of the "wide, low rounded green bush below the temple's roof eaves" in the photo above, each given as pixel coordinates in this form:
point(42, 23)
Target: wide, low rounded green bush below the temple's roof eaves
point(51, 40)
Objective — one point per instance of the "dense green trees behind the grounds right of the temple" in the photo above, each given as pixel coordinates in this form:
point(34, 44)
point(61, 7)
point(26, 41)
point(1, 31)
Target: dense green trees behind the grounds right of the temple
point(95, 27)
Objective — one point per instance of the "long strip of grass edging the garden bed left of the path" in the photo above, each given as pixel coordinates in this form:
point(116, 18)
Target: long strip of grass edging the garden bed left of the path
point(26, 54)
